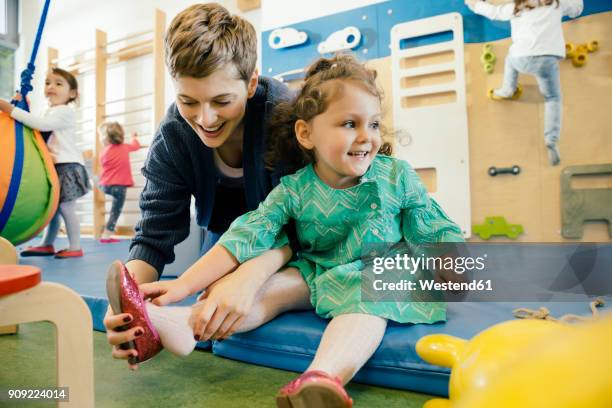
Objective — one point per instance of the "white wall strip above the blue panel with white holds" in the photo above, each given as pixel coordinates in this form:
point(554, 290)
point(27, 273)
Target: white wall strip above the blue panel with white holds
point(281, 13)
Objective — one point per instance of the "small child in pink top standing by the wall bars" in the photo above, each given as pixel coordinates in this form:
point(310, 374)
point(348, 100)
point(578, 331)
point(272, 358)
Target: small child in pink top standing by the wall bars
point(116, 174)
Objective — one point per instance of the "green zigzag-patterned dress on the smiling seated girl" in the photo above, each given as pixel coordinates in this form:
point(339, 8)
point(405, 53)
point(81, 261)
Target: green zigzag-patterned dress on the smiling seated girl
point(389, 204)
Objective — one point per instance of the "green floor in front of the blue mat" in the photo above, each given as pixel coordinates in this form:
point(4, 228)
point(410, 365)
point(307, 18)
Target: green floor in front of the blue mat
point(200, 380)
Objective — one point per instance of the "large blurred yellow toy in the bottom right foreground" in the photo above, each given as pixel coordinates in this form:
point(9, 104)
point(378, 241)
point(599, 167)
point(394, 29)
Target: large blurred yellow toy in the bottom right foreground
point(527, 364)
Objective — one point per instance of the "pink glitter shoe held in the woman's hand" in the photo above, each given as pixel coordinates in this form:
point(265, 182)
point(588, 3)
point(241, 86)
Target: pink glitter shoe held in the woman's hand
point(124, 297)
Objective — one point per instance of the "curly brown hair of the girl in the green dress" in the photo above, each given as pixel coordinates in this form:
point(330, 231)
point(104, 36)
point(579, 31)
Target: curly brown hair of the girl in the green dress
point(311, 101)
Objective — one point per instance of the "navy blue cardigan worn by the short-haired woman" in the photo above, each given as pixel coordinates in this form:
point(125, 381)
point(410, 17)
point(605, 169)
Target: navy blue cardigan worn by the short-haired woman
point(179, 166)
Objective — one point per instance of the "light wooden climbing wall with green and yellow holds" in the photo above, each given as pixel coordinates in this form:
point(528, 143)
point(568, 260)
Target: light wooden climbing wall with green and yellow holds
point(503, 134)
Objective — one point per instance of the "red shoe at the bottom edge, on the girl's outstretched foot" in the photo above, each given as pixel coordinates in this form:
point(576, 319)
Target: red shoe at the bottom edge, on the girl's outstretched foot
point(314, 389)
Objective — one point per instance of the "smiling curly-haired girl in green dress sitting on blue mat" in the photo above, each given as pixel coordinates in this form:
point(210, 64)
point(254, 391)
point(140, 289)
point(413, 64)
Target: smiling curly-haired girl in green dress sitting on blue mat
point(343, 195)
